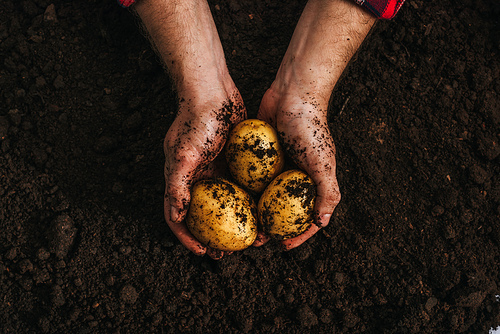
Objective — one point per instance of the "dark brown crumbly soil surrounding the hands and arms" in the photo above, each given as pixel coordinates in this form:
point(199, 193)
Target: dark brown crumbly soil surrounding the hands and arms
point(413, 247)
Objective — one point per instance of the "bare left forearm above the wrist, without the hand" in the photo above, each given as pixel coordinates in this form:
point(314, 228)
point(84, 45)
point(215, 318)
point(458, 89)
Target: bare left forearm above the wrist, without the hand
point(186, 38)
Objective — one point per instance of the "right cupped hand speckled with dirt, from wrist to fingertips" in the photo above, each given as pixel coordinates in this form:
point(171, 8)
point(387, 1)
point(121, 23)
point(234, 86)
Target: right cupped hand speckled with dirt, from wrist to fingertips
point(301, 122)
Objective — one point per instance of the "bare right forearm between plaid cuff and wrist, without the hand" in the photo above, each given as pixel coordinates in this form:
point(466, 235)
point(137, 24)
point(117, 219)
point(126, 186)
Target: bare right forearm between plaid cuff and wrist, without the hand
point(328, 34)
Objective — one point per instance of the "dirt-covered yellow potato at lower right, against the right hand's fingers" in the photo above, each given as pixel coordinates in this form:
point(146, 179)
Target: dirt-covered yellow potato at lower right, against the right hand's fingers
point(286, 207)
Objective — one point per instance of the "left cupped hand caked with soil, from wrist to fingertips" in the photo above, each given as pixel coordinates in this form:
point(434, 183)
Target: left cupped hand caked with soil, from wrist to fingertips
point(191, 146)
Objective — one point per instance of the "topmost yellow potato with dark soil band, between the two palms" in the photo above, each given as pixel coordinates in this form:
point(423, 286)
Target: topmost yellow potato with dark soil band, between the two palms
point(254, 155)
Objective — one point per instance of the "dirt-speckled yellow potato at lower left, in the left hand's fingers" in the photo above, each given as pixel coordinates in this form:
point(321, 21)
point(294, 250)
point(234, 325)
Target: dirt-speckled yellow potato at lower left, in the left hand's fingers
point(222, 215)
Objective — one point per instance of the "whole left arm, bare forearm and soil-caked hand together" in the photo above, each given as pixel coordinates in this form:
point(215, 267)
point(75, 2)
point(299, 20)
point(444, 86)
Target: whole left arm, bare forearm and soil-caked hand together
point(185, 36)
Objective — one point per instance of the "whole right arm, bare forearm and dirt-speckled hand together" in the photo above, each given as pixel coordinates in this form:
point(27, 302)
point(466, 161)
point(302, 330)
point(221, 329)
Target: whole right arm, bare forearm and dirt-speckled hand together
point(327, 35)
